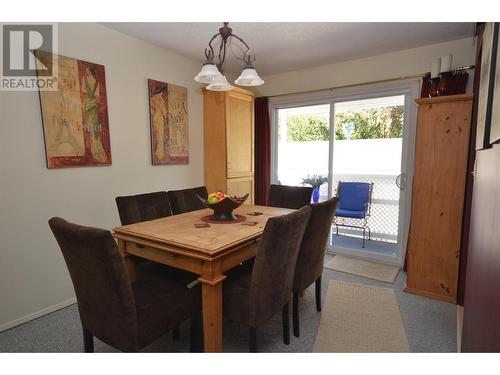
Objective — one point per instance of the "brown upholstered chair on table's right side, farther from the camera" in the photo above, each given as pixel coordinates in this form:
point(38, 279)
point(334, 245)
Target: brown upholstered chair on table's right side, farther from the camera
point(311, 256)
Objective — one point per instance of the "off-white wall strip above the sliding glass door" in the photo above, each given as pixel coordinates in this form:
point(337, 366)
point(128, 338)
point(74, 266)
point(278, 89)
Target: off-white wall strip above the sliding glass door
point(386, 66)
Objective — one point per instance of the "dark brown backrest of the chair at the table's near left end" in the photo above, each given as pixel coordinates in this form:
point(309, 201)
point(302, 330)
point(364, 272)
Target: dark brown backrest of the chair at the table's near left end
point(102, 287)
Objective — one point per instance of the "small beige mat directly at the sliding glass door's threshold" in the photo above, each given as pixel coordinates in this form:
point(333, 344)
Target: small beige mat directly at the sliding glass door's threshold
point(364, 268)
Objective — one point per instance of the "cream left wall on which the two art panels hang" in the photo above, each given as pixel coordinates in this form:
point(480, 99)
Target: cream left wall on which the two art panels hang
point(33, 276)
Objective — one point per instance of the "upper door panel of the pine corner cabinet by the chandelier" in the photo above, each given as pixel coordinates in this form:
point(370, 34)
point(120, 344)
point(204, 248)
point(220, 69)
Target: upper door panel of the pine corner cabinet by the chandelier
point(239, 135)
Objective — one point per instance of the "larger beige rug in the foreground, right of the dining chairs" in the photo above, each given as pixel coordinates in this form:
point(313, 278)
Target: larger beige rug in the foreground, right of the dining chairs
point(360, 319)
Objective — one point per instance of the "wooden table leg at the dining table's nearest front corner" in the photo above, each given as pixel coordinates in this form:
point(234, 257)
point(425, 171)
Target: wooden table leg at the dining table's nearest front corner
point(212, 313)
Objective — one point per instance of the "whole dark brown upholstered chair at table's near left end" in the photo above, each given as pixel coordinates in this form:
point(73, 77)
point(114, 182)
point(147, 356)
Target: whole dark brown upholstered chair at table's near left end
point(124, 315)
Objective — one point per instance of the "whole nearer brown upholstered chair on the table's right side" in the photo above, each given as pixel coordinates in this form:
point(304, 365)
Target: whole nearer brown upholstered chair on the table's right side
point(255, 297)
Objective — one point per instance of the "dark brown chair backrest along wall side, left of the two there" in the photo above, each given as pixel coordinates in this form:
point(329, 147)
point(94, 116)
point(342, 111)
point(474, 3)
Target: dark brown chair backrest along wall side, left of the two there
point(143, 207)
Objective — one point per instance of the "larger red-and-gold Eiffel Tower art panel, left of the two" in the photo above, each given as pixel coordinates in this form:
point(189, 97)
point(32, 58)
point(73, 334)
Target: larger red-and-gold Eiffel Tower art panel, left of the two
point(75, 116)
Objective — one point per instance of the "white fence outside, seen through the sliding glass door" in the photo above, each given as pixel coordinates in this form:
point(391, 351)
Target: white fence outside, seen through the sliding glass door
point(367, 160)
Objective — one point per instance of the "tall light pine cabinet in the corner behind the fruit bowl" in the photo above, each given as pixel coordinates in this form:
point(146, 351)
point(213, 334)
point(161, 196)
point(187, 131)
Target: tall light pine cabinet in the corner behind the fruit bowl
point(229, 141)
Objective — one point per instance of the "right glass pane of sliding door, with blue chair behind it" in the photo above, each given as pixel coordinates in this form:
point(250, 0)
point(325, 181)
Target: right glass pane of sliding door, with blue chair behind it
point(367, 149)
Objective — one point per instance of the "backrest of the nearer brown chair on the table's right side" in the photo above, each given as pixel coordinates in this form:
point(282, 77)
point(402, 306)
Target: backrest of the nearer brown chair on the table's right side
point(274, 266)
